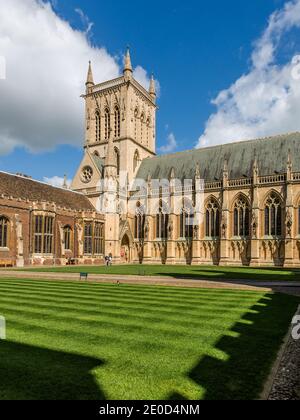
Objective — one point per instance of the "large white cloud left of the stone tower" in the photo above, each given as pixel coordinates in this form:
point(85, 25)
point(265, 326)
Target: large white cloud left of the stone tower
point(46, 61)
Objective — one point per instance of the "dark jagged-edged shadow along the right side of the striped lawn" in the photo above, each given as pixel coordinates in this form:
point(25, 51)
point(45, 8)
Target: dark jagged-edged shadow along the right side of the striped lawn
point(250, 355)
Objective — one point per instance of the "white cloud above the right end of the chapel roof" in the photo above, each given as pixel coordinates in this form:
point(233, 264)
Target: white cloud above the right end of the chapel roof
point(265, 101)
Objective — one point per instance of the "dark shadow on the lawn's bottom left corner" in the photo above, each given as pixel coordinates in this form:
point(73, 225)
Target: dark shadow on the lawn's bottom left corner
point(33, 373)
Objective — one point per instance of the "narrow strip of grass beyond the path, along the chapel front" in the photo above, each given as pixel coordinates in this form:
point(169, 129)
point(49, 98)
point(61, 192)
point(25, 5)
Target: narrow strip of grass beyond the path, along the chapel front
point(189, 272)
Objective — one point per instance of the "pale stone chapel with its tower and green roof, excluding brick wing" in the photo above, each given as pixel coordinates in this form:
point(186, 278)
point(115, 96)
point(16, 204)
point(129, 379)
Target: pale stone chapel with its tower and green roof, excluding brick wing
point(240, 207)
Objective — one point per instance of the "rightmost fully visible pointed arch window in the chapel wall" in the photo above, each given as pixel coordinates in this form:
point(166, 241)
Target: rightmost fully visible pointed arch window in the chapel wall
point(273, 216)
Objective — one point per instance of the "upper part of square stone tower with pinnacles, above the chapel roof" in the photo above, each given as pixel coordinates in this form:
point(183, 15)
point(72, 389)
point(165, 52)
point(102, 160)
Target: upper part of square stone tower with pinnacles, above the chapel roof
point(121, 110)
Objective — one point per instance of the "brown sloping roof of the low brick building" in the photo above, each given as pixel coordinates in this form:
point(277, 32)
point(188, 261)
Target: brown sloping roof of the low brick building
point(25, 188)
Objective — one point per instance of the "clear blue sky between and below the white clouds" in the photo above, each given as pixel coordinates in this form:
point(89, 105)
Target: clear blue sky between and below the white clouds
point(195, 48)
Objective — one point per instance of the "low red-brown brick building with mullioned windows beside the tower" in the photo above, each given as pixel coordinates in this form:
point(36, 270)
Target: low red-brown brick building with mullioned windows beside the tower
point(44, 225)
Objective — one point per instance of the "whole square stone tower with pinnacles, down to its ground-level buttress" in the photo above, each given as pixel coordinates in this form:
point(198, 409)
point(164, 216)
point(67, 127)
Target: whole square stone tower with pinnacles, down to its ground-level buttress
point(120, 132)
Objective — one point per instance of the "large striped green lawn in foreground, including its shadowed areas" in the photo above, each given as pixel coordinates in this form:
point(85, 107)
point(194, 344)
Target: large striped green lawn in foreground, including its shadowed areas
point(68, 340)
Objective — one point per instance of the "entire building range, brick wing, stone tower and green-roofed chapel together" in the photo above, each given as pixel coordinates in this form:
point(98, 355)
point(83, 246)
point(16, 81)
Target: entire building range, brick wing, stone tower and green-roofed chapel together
point(234, 204)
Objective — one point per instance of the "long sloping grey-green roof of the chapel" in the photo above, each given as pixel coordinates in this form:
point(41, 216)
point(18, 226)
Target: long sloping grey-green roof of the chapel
point(272, 156)
